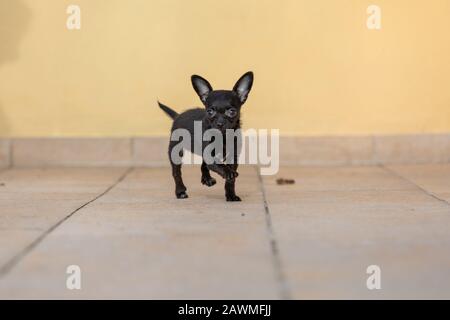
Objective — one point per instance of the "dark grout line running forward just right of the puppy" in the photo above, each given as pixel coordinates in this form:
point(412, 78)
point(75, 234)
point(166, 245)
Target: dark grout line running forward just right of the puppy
point(281, 278)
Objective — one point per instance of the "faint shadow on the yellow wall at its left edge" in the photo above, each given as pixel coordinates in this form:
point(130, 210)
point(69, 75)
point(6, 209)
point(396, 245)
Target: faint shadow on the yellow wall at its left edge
point(14, 20)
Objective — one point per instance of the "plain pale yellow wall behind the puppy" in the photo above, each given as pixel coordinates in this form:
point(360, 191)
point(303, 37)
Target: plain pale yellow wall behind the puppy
point(318, 69)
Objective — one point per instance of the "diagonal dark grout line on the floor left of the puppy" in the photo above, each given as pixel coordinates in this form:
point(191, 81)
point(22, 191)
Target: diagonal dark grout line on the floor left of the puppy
point(8, 266)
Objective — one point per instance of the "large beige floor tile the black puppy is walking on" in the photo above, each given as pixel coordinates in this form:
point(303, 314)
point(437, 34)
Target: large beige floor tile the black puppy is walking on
point(138, 241)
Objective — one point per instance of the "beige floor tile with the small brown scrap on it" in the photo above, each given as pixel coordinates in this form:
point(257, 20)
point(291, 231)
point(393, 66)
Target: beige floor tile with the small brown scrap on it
point(335, 222)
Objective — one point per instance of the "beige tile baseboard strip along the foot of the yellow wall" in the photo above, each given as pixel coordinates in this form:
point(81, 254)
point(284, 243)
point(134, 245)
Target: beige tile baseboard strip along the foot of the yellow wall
point(152, 151)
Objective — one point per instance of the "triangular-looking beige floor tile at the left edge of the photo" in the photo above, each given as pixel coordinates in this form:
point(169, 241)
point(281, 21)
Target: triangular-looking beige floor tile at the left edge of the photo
point(33, 200)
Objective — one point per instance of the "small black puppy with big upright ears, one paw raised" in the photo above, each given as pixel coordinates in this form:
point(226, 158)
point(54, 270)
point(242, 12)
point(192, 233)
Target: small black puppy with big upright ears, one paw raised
point(222, 112)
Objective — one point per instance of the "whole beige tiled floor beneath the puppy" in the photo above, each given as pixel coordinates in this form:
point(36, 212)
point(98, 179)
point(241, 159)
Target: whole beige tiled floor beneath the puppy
point(313, 239)
